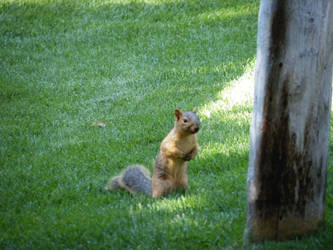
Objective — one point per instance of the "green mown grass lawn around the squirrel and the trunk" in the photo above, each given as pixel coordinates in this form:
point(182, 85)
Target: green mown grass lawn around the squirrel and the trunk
point(66, 64)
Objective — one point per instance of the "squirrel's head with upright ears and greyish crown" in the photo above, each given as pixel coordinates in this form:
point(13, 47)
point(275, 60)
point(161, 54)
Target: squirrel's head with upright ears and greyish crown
point(188, 122)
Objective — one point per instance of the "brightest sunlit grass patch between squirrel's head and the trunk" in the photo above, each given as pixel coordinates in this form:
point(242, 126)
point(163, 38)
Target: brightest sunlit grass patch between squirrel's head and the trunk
point(239, 92)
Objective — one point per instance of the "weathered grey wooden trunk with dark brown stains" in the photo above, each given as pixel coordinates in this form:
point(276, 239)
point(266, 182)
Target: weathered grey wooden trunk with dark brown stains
point(290, 126)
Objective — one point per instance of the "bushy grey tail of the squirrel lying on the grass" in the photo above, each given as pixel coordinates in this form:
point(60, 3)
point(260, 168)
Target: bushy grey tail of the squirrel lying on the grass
point(135, 178)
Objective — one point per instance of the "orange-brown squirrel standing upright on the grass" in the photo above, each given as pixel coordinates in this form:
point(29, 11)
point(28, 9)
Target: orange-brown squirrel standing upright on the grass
point(170, 169)
